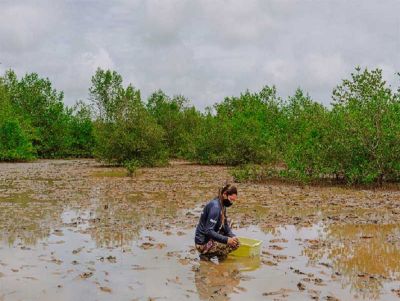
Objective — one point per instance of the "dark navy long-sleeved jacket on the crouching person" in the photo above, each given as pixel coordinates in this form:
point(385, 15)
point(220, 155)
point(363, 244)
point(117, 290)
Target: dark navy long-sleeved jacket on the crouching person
point(209, 226)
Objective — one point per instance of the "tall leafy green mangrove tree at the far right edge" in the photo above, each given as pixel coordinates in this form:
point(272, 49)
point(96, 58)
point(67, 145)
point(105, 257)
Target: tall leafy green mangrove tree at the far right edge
point(366, 119)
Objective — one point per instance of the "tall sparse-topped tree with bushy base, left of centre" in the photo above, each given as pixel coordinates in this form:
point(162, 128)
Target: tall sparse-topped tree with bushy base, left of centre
point(124, 129)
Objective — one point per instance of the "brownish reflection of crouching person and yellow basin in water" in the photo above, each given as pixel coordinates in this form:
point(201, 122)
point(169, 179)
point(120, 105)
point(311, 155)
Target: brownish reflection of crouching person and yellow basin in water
point(216, 281)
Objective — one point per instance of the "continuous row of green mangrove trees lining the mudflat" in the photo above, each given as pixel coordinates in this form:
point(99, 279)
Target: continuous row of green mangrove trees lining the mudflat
point(356, 140)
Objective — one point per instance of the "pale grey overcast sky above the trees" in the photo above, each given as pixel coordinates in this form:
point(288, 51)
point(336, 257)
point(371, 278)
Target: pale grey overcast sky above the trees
point(205, 49)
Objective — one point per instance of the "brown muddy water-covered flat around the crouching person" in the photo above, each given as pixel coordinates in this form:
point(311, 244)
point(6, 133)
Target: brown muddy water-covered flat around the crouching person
point(74, 230)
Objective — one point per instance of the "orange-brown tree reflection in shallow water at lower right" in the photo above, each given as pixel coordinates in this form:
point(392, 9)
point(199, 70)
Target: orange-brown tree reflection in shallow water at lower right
point(363, 256)
